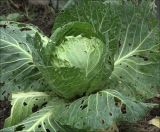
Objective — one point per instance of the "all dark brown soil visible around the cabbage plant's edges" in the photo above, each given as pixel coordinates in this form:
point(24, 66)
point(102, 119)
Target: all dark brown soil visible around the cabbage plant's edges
point(44, 19)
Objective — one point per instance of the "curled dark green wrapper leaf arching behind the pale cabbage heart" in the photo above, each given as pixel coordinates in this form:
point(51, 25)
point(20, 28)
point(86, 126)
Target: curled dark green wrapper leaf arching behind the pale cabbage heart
point(74, 29)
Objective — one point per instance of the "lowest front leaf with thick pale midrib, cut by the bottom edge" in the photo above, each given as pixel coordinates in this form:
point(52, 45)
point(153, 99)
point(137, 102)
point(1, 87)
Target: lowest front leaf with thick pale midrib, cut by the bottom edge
point(40, 121)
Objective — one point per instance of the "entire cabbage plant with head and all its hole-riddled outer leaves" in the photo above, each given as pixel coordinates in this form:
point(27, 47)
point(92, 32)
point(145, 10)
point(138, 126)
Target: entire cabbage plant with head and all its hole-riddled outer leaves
point(95, 71)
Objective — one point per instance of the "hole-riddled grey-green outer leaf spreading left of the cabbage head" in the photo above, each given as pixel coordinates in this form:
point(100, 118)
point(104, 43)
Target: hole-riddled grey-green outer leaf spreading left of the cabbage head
point(17, 70)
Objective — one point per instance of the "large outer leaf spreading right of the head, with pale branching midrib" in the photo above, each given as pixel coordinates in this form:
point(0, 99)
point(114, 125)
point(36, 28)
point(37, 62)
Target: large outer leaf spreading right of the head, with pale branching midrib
point(137, 59)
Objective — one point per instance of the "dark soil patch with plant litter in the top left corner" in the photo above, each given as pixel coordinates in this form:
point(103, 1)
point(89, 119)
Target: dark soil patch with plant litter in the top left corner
point(39, 15)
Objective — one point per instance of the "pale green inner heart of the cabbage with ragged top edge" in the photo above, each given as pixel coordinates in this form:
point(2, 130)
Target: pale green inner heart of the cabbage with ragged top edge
point(79, 52)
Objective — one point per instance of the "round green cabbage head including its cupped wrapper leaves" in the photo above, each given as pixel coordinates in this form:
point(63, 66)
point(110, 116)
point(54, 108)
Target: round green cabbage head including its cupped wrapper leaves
point(77, 63)
